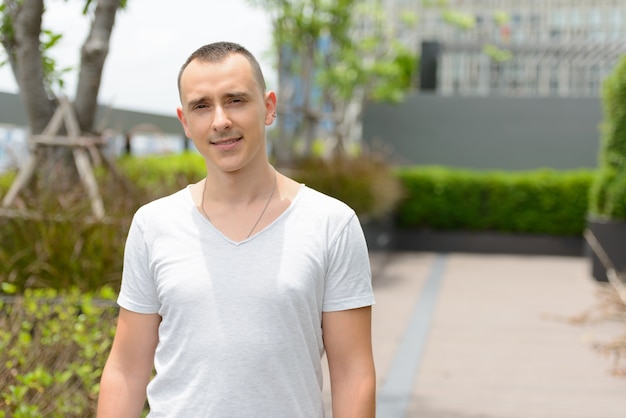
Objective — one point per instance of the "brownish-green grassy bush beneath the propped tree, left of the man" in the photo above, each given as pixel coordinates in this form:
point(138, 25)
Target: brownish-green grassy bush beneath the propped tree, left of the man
point(60, 245)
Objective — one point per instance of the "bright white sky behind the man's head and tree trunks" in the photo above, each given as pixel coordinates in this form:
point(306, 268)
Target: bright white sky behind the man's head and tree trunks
point(150, 41)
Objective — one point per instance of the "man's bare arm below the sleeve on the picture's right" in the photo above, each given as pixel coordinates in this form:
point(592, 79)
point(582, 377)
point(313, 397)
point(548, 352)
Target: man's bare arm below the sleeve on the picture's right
point(348, 344)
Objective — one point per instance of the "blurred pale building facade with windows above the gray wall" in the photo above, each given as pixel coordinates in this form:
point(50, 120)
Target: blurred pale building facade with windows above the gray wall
point(559, 48)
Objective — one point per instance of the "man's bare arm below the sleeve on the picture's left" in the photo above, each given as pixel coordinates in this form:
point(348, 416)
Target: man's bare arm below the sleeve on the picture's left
point(129, 366)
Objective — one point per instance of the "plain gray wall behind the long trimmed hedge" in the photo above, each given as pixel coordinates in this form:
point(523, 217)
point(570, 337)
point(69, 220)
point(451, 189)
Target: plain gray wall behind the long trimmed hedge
point(488, 132)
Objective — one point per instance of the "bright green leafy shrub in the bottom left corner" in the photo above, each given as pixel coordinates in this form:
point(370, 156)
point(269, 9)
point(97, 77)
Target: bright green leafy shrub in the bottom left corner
point(53, 345)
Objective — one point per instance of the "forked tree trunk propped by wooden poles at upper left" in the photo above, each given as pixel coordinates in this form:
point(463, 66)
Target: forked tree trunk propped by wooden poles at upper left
point(26, 45)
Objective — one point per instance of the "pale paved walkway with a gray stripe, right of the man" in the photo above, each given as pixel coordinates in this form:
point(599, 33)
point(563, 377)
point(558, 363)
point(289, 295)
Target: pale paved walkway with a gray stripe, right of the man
point(485, 336)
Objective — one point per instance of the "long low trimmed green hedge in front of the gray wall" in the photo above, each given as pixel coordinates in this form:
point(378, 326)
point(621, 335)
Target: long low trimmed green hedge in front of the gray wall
point(539, 202)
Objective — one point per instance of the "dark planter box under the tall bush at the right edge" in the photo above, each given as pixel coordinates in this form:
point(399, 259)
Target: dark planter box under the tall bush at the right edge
point(611, 236)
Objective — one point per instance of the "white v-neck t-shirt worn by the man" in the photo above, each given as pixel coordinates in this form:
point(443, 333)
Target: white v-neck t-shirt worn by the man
point(241, 328)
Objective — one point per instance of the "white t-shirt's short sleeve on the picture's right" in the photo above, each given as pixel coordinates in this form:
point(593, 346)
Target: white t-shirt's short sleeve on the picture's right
point(348, 283)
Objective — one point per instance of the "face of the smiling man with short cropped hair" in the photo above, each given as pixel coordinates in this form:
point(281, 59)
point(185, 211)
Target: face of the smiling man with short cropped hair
point(224, 112)
